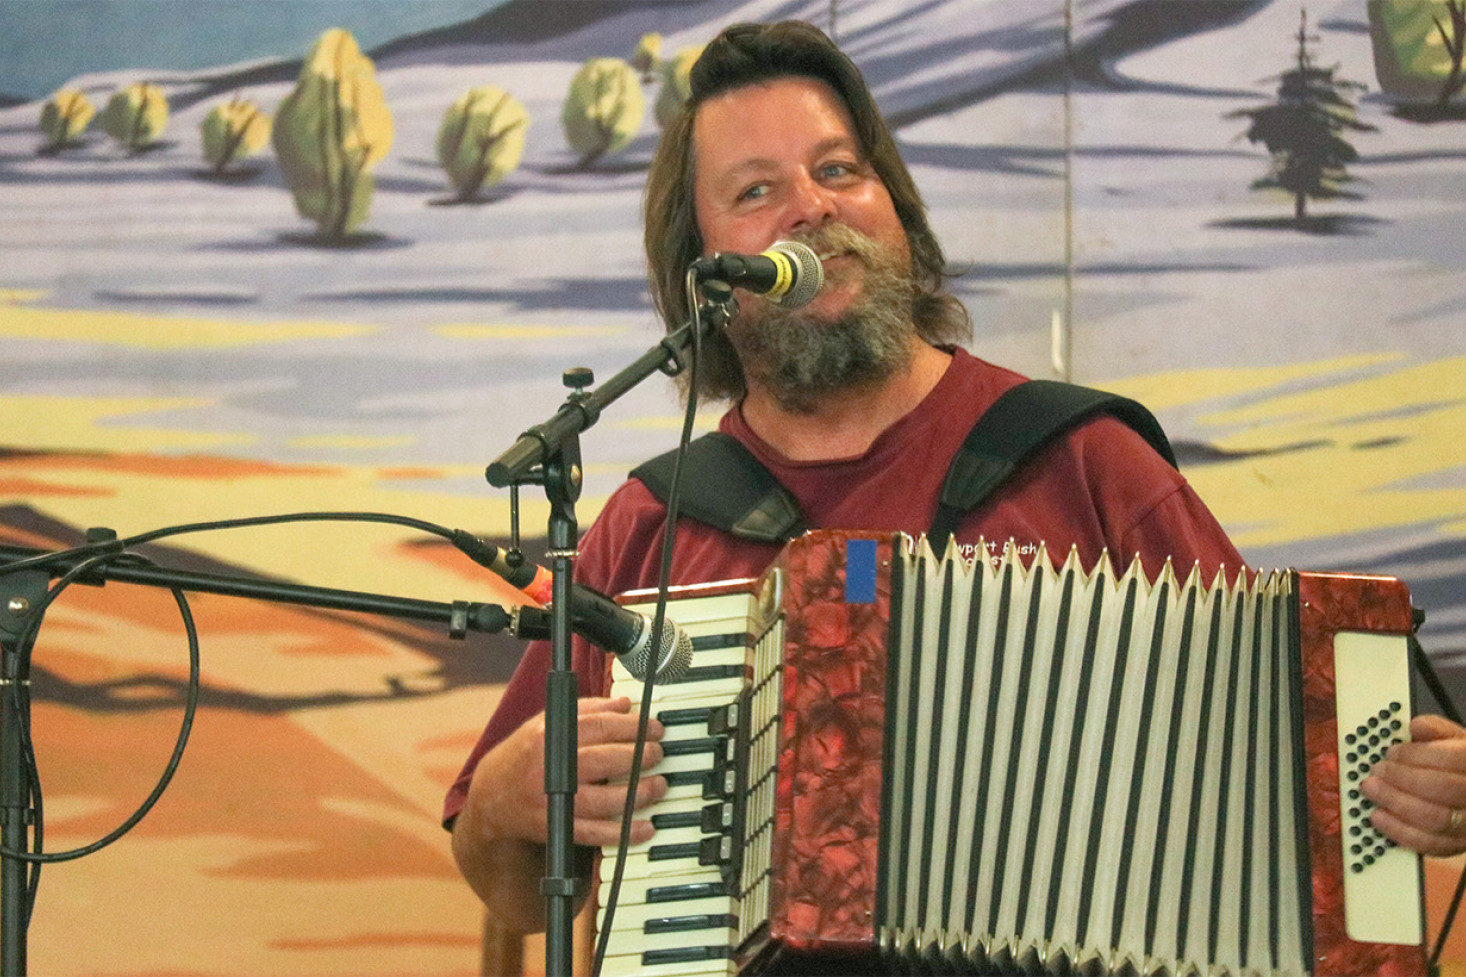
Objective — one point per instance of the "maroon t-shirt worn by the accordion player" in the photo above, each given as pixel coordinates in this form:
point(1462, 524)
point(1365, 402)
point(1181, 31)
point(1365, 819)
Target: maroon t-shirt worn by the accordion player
point(1102, 491)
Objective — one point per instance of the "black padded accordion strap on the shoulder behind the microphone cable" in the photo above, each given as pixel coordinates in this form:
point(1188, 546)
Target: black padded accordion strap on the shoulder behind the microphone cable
point(725, 486)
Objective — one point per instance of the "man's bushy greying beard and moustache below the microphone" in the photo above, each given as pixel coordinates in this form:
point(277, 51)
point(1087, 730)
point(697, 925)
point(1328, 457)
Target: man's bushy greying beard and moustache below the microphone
point(801, 359)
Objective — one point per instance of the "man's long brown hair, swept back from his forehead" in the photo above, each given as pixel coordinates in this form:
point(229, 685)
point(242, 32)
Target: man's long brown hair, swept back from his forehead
point(747, 55)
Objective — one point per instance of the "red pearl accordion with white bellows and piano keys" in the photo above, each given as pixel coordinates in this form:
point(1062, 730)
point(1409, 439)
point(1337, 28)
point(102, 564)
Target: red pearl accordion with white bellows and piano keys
point(885, 761)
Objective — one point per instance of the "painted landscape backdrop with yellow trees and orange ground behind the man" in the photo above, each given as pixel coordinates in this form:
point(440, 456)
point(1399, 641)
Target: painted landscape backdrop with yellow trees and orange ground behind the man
point(197, 328)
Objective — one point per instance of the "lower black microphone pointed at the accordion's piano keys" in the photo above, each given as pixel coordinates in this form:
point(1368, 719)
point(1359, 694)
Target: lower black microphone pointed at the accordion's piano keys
point(593, 615)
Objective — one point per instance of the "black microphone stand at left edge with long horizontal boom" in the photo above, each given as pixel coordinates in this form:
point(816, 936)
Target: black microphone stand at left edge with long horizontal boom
point(21, 595)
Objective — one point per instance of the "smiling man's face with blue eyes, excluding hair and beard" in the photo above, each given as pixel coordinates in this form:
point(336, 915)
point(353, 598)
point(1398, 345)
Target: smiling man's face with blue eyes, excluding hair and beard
point(781, 161)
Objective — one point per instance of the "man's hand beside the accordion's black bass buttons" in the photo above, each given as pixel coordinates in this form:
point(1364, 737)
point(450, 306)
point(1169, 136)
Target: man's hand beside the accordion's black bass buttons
point(1420, 788)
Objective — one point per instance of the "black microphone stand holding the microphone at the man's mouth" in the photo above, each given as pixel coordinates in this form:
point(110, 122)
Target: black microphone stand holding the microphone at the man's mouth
point(550, 455)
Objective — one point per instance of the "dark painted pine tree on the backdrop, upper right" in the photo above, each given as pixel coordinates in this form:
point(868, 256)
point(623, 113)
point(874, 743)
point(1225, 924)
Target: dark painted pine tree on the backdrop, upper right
point(1304, 131)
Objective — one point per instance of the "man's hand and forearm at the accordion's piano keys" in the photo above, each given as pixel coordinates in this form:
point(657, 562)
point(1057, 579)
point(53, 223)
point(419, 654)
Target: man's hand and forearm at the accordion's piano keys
point(501, 834)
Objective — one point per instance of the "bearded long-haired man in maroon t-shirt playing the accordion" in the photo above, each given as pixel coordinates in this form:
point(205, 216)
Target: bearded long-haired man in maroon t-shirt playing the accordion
point(857, 404)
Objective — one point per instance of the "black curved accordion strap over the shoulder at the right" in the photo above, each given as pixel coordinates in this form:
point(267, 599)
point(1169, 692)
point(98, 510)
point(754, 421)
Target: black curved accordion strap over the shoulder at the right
point(1020, 423)
